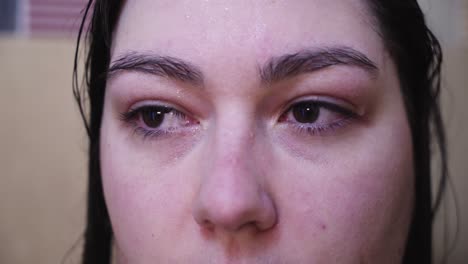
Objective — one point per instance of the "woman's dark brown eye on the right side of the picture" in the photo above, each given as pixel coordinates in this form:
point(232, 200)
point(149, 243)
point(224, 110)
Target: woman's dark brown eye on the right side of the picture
point(315, 116)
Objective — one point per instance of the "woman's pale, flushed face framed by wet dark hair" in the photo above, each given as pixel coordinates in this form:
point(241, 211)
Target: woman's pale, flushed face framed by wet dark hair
point(254, 132)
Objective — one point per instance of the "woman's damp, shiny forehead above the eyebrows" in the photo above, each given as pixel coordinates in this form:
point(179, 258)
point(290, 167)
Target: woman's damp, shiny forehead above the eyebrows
point(207, 30)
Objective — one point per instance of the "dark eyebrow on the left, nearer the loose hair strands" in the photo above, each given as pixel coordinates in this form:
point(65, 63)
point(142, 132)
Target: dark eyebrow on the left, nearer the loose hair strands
point(163, 66)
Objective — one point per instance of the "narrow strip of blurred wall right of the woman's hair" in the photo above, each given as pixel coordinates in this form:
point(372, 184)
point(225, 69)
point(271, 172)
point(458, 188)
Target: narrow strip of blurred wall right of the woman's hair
point(449, 20)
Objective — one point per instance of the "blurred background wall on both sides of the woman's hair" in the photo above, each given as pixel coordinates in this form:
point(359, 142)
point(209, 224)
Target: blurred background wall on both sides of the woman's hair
point(43, 146)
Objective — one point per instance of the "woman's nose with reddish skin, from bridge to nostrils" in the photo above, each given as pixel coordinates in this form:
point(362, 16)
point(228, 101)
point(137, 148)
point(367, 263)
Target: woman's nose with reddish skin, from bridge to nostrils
point(233, 194)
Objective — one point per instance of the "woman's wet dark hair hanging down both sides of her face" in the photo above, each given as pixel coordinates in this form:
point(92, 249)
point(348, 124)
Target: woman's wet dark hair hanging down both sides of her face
point(415, 51)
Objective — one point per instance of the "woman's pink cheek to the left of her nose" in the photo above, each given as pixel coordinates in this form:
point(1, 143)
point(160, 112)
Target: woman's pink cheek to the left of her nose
point(146, 193)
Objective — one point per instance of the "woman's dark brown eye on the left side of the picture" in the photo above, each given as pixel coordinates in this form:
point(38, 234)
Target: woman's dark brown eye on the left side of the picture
point(157, 120)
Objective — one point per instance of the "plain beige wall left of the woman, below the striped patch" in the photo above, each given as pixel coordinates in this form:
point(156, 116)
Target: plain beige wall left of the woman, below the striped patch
point(42, 176)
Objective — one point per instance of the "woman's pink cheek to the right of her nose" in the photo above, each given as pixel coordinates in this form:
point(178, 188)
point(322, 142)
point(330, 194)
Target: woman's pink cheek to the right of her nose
point(358, 191)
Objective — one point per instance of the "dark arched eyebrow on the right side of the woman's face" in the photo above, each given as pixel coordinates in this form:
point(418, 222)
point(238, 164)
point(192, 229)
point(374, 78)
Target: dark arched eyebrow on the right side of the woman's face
point(307, 61)
